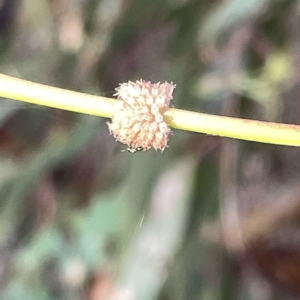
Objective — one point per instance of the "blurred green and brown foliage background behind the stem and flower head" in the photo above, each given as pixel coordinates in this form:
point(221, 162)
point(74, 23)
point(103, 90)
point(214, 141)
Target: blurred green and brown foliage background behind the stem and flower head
point(204, 219)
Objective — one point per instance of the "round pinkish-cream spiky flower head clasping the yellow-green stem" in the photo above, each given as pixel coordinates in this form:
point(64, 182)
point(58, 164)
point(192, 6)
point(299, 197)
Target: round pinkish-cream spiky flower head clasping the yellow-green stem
point(138, 120)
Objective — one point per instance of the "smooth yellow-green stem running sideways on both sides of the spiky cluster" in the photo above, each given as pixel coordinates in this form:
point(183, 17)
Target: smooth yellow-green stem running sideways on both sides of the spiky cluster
point(258, 131)
